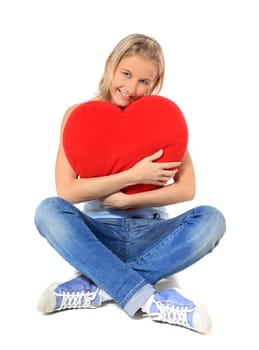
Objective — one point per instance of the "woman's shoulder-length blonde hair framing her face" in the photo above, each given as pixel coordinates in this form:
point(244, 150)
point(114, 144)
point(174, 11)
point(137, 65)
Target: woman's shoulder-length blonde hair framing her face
point(134, 44)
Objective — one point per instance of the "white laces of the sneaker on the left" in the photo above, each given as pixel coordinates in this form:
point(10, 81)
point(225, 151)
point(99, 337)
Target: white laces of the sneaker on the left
point(76, 300)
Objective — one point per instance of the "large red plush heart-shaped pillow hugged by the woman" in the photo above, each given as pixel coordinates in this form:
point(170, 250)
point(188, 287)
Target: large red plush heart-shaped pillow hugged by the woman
point(100, 138)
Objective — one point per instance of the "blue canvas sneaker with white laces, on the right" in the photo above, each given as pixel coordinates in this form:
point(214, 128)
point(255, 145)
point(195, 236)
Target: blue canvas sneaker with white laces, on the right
point(172, 307)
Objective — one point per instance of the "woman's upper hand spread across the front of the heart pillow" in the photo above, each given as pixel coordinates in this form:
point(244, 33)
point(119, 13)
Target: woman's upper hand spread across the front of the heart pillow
point(149, 172)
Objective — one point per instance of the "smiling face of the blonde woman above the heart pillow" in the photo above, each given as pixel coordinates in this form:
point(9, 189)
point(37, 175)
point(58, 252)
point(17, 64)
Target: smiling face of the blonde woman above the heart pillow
point(134, 77)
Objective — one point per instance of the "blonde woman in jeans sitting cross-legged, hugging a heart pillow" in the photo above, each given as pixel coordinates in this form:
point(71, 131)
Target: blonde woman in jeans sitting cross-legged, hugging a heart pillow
point(121, 254)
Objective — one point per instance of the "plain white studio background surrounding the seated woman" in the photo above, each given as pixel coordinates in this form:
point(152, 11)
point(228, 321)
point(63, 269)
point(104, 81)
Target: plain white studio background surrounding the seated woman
point(52, 56)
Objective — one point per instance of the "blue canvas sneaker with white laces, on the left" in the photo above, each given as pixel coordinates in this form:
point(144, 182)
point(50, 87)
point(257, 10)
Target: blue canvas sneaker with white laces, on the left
point(78, 293)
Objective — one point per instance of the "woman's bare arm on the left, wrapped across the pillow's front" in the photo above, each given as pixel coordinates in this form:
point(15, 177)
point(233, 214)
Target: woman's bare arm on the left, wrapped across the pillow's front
point(74, 189)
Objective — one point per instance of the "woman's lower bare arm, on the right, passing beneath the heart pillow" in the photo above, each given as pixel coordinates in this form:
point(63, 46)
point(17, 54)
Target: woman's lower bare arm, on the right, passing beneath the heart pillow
point(183, 189)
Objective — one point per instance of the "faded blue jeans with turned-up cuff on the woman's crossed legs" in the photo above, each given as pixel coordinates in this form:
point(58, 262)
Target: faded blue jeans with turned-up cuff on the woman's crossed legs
point(127, 256)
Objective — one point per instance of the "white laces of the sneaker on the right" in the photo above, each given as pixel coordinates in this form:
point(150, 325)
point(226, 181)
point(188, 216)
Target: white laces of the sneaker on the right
point(172, 314)
